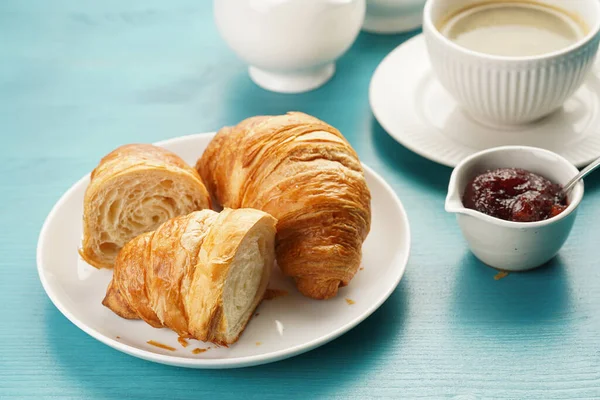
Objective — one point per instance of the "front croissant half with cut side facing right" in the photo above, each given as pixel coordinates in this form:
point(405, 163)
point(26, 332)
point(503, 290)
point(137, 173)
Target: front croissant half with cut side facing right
point(201, 275)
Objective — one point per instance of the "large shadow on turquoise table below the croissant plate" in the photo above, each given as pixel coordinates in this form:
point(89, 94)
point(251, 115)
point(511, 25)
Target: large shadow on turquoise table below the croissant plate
point(97, 370)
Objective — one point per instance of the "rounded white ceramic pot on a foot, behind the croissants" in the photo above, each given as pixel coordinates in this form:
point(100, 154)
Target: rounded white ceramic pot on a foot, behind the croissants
point(290, 45)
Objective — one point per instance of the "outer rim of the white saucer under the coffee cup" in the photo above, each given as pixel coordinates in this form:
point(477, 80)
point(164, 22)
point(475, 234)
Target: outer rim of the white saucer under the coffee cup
point(432, 156)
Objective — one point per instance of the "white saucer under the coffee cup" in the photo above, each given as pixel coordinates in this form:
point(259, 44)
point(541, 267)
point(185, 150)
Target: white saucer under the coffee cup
point(412, 106)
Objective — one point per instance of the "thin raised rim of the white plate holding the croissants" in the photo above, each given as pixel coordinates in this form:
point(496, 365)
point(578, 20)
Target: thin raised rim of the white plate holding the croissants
point(239, 362)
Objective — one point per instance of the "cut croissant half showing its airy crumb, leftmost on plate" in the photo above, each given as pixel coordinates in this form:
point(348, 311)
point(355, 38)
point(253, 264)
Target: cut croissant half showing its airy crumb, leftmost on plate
point(133, 190)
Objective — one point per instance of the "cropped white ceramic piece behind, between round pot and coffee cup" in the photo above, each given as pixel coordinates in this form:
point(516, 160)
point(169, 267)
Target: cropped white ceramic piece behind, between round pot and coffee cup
point(393, 16)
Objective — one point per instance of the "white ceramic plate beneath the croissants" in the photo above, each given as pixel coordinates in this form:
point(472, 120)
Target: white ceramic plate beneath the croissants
point(285, 326)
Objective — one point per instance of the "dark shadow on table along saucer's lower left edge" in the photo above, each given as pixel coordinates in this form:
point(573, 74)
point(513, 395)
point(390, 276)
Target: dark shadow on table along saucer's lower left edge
point(410, 165)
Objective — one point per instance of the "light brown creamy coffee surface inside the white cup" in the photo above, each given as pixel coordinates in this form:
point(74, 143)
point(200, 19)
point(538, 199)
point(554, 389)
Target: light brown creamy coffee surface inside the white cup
point(513, 28)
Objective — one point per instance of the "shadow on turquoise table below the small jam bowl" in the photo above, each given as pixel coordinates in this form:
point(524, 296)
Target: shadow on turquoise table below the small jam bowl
point(535, 297)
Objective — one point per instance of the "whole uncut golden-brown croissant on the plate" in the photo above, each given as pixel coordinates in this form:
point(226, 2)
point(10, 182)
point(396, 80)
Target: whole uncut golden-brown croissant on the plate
point(303, 172)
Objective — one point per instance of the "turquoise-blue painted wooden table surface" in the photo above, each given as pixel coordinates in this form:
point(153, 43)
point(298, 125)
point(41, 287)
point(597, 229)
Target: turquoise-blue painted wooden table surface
point(80, 78)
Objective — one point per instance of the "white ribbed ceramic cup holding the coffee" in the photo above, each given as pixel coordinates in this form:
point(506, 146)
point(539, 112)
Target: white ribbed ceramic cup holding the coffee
point(499, 90)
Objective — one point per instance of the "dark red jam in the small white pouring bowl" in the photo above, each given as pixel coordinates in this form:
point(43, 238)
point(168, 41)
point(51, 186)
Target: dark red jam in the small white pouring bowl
point(515, 195)
